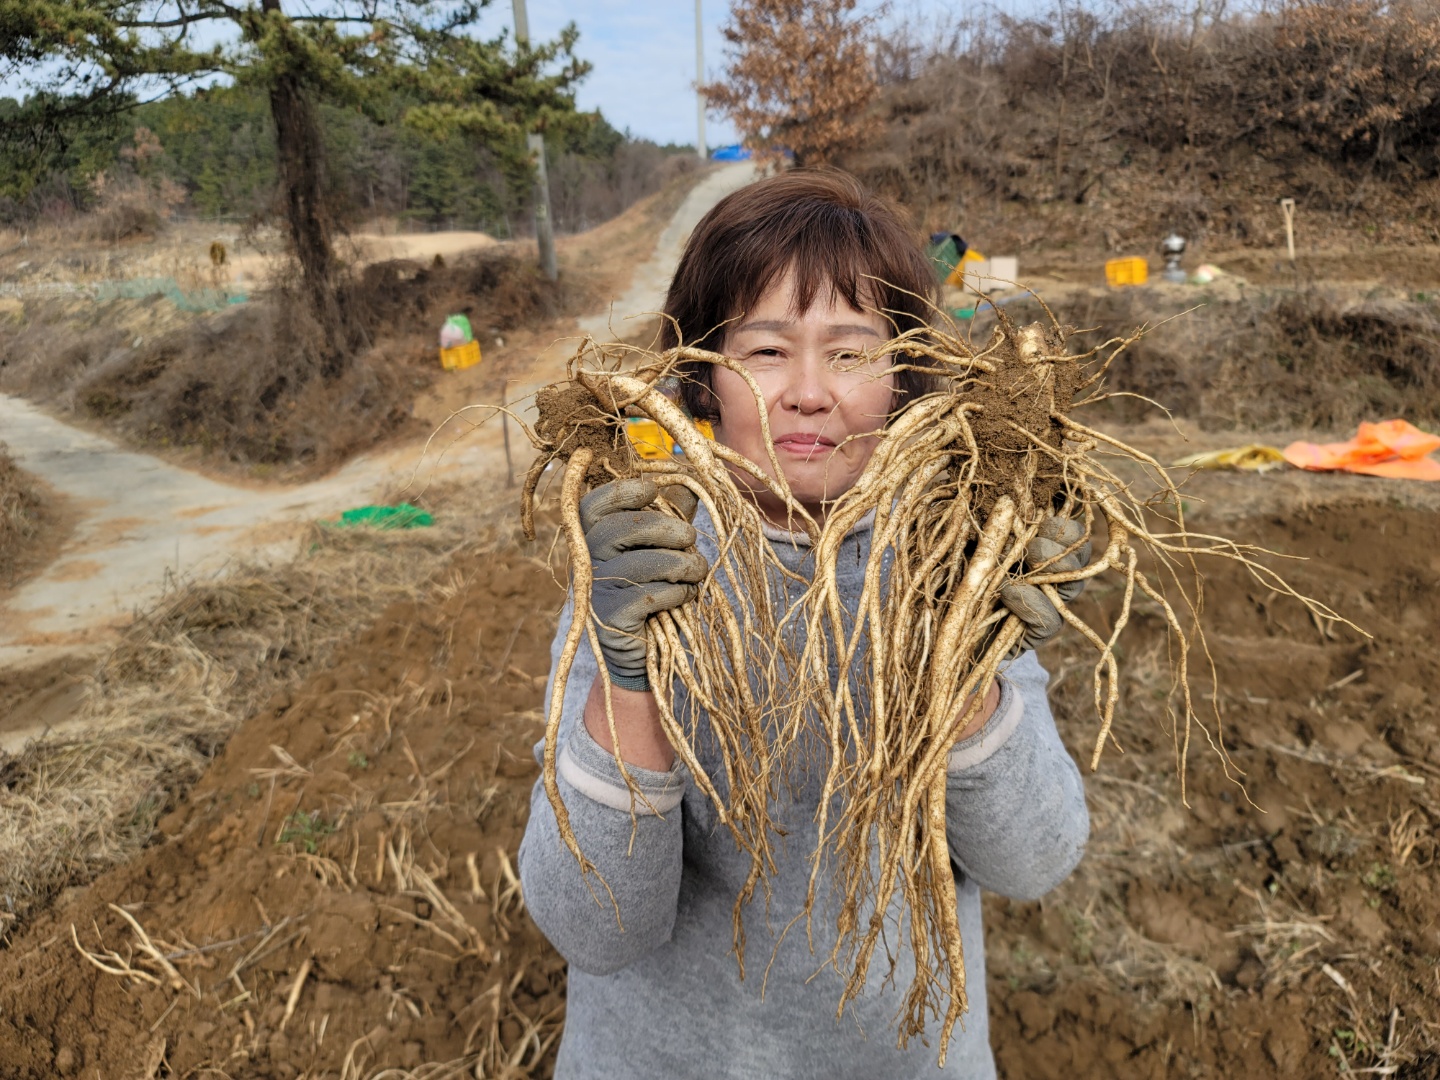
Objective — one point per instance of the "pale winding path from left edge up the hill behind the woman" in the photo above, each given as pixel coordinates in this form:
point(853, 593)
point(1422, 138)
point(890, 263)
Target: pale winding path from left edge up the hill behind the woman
point(142, 522)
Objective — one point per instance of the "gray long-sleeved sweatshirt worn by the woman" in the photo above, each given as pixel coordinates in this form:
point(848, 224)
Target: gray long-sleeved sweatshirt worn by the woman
point(663, 997)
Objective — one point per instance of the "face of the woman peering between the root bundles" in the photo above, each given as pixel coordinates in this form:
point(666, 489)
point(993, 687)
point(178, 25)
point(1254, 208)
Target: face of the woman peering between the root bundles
point(820, 394)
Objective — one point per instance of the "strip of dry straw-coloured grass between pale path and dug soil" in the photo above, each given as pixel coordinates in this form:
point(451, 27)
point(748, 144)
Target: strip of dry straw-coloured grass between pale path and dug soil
point(181, 680)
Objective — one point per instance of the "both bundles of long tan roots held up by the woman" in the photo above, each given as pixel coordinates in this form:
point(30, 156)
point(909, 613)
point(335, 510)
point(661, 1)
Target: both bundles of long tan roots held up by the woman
point(960, 485)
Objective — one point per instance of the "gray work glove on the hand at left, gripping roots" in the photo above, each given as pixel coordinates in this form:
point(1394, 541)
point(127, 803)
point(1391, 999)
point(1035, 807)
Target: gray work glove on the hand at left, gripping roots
point(642, 567)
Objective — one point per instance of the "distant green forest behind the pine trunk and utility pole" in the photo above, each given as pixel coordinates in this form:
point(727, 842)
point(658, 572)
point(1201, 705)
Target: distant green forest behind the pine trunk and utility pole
point(215, 152)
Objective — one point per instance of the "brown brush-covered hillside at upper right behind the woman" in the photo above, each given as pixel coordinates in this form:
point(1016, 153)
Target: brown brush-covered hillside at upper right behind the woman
point(1104, 126)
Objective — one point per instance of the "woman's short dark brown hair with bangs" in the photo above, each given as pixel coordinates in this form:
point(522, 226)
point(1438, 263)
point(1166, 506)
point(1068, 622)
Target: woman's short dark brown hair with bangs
point(826, 228)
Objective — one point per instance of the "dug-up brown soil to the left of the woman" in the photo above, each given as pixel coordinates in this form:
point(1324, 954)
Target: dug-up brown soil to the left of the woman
point(313, 842)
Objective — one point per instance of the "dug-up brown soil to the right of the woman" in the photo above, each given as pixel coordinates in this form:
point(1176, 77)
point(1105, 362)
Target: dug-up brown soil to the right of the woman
point(1279, 924)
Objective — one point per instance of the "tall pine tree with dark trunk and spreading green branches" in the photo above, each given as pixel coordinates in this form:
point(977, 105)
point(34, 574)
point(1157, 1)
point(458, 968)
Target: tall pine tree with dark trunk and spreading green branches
point(87, 57)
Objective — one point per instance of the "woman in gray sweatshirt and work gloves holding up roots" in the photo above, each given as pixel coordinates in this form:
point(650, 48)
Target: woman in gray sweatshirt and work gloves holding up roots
point(788, 276)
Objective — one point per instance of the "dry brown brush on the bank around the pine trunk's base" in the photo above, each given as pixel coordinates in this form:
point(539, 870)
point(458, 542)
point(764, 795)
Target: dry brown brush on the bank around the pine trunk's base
point(302, 402)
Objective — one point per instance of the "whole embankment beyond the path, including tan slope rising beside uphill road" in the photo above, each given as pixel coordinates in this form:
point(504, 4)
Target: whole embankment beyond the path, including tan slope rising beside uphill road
point(257, 388)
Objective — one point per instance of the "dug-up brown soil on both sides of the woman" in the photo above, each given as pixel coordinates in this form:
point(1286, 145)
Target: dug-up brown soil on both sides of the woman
point(1192, 942)
